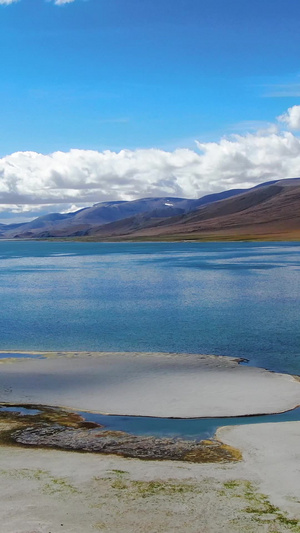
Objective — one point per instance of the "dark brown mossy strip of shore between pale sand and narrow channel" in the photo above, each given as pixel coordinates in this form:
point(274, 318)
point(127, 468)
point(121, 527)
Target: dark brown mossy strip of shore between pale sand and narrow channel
point(65, 430)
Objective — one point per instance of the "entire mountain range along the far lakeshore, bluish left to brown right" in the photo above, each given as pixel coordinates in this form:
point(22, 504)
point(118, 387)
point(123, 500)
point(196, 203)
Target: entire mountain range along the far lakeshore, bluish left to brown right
point(268, 211)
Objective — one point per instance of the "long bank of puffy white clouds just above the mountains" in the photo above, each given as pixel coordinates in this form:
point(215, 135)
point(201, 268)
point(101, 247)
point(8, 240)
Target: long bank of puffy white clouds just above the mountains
point(88, 176)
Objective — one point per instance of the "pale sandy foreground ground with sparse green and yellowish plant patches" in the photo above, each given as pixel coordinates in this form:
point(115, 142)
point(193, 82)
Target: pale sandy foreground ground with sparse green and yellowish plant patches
point(47, 491)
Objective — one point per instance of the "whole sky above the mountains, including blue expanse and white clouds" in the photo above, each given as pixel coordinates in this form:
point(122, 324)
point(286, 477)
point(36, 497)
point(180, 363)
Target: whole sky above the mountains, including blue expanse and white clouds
point(122, 99)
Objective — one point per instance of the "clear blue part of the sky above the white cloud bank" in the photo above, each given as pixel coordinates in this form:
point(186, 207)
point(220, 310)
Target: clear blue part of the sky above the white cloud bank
point(139, 74)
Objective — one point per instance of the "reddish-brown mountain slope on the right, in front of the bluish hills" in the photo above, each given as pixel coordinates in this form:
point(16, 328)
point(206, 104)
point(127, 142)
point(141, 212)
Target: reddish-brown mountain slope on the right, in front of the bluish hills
point(271, 211)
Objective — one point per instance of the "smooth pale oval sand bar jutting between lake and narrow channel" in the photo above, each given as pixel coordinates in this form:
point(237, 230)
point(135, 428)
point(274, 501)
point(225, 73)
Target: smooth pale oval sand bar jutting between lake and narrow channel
point(161, 385)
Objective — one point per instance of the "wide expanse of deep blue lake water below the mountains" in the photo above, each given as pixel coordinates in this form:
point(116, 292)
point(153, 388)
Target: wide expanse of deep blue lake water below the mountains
point(238, 299)
